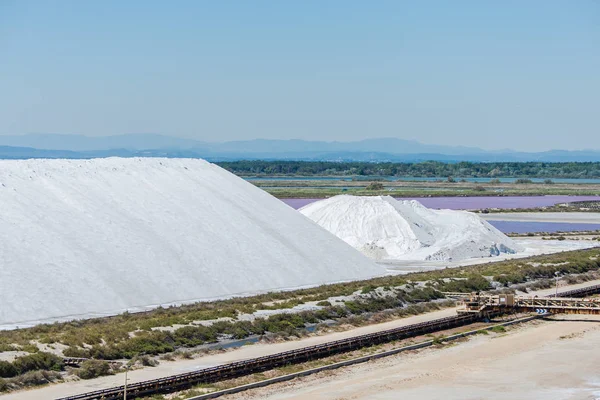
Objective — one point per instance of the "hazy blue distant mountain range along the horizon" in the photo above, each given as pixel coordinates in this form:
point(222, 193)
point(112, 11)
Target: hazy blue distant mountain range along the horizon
point(373, 150)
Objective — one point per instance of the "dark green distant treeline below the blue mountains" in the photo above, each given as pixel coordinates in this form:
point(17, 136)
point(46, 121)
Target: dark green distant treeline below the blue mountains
point(421, 169)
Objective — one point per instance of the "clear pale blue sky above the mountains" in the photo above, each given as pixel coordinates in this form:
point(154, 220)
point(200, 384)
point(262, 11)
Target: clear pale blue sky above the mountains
point(493, 74)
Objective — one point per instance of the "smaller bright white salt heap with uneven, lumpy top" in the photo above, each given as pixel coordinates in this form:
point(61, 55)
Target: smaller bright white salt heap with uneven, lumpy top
point(385, 229)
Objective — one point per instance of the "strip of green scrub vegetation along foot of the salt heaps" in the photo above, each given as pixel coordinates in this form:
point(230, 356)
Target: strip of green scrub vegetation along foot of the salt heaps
point(131, 335)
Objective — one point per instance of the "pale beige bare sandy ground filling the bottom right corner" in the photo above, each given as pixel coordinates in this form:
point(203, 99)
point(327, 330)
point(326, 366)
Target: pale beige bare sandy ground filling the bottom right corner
point(542, 360)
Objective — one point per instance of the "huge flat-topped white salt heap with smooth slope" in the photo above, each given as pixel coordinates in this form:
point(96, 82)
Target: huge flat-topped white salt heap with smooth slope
point(93, 237)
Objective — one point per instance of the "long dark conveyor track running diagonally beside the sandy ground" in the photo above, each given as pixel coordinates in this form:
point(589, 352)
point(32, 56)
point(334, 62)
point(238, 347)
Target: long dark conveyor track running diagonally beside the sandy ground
point(183, 381)
